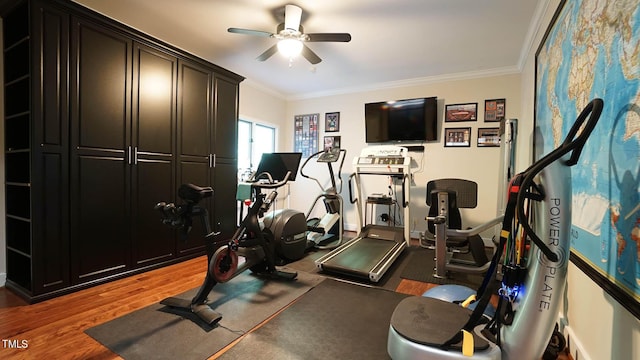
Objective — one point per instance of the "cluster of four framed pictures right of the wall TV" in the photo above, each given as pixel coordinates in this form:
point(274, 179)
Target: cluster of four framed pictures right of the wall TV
point(494, 112)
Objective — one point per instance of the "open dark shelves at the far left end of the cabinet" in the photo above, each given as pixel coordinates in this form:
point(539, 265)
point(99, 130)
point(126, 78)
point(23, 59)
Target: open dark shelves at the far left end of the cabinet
point(17, 120)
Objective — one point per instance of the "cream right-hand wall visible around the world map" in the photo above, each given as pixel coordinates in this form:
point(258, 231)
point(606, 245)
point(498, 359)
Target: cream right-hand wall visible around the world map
point(598, 326)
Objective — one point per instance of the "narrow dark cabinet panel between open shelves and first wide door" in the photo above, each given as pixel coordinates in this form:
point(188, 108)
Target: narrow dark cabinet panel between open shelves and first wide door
point(50, 178)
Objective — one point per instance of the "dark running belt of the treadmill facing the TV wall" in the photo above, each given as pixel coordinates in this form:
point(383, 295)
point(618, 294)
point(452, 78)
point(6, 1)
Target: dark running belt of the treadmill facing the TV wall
point(363, 255)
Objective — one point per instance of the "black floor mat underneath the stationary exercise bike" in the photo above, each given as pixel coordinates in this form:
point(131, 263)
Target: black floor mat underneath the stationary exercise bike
point(158, 332)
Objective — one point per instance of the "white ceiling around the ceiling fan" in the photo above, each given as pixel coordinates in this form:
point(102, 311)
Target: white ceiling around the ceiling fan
point(393, 42)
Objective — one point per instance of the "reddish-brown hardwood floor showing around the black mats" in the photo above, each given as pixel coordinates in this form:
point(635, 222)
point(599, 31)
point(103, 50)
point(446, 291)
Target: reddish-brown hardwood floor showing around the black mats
point(54, 329)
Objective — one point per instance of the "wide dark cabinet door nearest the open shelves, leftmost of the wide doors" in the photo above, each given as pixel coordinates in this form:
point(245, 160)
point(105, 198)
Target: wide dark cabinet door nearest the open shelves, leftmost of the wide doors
point(100, 170)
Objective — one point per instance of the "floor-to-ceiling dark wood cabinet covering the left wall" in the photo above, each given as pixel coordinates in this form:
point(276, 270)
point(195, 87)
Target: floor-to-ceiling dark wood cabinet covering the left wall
point(101, 123)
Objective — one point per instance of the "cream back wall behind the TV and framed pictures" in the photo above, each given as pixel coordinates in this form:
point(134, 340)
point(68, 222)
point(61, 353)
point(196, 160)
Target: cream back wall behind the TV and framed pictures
point(479, 164)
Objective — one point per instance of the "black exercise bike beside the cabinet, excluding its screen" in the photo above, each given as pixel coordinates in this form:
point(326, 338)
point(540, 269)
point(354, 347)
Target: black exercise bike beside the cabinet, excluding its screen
point(251, 241)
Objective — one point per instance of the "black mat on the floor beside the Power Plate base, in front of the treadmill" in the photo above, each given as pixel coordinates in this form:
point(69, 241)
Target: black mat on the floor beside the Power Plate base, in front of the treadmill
point(334, 320)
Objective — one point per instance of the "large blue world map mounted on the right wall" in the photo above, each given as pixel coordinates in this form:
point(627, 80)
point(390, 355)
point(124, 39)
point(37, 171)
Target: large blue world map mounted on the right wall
point(592, 50)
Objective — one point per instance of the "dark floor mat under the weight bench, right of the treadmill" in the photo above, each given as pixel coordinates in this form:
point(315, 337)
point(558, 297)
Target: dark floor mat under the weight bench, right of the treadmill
point(421, 264)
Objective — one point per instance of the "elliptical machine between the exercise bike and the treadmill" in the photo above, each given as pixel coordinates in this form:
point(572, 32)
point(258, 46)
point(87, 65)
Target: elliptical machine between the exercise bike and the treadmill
point(326, 233)
